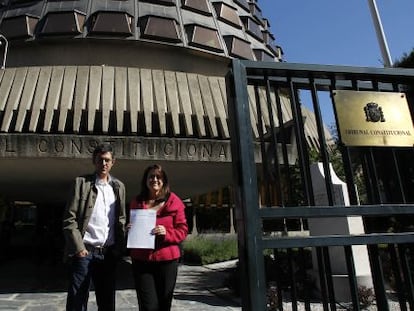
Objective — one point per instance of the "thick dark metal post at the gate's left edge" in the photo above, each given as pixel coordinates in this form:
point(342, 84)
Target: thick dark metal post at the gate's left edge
point(248, 222)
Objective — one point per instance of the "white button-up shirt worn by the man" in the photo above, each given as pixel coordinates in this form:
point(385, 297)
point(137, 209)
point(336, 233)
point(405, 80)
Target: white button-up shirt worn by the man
point(101, 226)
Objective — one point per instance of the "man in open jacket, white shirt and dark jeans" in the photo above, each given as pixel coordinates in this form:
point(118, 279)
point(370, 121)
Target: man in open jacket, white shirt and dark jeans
point(94, 230)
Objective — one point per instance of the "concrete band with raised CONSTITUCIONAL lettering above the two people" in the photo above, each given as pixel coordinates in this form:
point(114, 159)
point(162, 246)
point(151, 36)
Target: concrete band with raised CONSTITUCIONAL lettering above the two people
point(125, 147)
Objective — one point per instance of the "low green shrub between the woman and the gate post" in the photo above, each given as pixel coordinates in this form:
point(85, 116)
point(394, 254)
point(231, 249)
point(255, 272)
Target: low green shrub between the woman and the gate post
point(209, 248)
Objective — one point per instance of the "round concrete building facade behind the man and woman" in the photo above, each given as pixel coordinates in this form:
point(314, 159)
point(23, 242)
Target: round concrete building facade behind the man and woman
point(148, 76)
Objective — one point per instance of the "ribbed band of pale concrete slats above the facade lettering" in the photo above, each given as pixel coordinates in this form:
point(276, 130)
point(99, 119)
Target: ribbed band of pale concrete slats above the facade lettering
point(112, 100)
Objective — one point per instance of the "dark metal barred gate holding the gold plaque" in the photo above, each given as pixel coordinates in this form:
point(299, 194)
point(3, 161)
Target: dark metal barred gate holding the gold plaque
point(274, 191)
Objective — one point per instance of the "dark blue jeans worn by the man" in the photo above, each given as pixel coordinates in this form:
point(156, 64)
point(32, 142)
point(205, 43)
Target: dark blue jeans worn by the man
point(96, 269)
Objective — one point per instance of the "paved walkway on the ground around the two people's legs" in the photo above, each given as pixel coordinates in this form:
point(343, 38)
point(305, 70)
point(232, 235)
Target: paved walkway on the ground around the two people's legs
point(199, 288)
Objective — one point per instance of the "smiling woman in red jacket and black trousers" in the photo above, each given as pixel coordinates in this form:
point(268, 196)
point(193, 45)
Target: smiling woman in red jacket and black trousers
point(155, 270)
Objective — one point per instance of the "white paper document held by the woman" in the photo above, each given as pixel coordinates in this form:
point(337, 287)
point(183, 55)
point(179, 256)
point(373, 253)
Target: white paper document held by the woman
point(142, 222)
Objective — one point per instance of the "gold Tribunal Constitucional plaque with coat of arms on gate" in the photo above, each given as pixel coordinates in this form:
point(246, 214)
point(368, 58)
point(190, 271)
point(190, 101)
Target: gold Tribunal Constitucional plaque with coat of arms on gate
point(373, 118)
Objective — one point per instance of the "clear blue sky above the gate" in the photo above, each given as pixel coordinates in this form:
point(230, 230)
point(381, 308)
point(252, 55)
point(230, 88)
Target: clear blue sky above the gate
point(338, 32)
